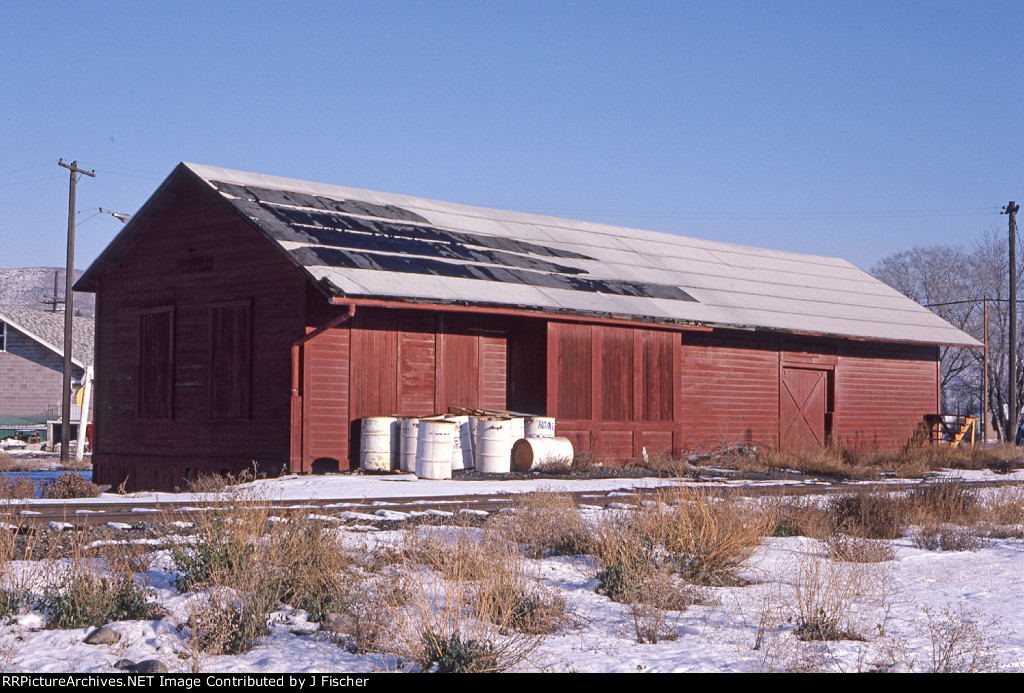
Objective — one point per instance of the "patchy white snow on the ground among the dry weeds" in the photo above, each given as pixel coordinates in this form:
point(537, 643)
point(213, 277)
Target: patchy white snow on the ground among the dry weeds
point(920, 612)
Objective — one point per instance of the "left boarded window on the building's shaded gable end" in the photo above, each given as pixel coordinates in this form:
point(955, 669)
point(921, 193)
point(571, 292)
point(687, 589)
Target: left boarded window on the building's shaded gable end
point(156, 364)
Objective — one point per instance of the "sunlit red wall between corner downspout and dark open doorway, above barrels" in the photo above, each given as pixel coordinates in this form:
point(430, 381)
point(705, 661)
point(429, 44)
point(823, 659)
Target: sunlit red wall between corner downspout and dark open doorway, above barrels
point(387, 363)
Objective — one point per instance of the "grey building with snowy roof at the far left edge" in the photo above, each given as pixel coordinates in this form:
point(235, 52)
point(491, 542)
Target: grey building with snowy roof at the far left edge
point(32, 366)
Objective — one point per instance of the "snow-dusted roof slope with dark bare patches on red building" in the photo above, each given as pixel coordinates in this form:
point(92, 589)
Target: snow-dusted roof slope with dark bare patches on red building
point(374, 245)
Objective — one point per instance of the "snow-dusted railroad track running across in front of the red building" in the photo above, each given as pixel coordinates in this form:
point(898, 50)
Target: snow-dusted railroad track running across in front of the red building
point(78, 514)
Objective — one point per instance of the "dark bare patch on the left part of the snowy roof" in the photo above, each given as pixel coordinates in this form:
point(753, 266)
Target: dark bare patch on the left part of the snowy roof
point(357, 235)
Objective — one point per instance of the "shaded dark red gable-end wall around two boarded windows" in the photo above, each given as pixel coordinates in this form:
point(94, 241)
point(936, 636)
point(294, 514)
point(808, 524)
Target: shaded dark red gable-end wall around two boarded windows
point(193, 253)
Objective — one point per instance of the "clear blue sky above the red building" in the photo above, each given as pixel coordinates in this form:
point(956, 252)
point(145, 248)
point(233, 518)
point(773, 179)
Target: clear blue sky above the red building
point(851, 129)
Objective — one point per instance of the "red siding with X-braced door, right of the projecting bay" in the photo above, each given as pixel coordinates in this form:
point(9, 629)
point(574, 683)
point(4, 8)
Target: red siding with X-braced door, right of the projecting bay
point(873, 395)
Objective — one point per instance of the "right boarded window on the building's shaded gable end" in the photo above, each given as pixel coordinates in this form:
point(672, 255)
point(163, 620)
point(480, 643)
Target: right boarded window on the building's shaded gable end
point(231, 362)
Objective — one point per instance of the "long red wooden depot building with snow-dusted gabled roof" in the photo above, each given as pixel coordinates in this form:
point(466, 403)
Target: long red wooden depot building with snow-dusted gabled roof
point(243, 319)
